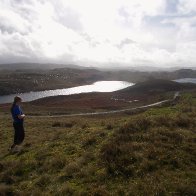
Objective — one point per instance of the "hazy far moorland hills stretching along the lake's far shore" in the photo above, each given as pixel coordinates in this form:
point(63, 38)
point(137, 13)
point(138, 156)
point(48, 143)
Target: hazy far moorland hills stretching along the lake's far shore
point(38, 77)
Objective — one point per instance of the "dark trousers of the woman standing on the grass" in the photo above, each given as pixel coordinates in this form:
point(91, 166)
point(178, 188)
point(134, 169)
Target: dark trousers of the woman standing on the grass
point(19, 132)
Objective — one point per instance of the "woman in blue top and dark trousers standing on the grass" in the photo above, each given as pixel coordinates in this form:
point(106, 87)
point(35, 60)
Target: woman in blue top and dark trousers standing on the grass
point(18, 122)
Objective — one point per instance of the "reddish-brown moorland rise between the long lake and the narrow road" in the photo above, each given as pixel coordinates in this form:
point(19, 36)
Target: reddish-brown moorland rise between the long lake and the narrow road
point(140, 94)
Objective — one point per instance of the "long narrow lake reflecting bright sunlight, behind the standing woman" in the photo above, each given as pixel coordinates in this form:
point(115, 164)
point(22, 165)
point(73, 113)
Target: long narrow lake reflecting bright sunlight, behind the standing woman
point(100, 86)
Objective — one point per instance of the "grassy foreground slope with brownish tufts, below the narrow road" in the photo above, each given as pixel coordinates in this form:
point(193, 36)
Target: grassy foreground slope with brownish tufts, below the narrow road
point(151, 153)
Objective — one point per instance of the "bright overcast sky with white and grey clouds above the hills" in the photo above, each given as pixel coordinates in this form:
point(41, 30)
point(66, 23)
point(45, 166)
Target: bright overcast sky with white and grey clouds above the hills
point(99, 32)
